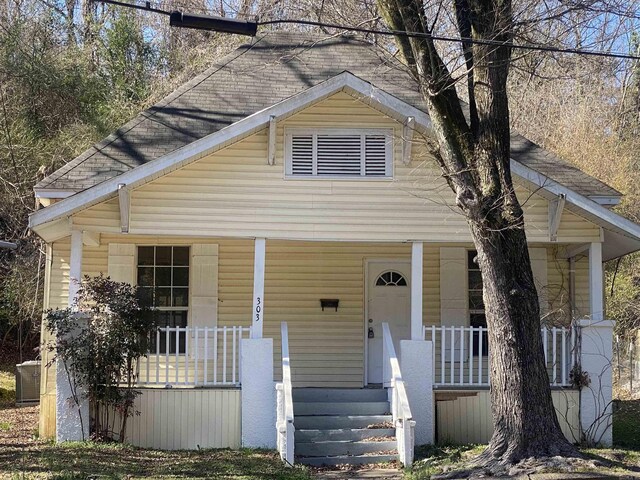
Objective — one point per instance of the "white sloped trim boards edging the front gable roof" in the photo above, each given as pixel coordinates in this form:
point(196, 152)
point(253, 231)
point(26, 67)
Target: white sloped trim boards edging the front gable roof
point(346, 81)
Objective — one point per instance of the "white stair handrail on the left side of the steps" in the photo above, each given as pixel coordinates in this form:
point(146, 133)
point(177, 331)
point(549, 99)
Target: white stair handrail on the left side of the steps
point(284, 422)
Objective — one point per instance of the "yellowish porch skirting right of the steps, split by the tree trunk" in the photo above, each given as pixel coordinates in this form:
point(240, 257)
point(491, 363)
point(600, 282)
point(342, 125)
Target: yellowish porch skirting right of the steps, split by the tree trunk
point(468, 419)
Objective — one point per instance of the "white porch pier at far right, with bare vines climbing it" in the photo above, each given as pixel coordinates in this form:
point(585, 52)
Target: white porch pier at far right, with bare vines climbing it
point(596, 356)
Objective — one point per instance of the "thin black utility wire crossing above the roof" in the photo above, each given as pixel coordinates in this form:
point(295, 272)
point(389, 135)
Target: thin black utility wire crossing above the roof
point(402, 33)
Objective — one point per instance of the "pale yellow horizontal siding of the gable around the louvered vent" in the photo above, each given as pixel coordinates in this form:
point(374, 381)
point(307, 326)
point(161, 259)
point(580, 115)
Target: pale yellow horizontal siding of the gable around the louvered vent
point(234, 192)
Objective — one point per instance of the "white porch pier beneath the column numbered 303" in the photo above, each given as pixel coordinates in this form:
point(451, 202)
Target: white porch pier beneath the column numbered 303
point(258, 393)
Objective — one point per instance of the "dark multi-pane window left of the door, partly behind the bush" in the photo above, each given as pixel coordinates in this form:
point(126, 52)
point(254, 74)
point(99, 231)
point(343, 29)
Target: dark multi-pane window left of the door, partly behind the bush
point(163, 274)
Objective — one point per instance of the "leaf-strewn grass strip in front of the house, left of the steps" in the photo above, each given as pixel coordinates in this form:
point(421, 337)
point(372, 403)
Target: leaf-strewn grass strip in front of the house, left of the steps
point(116, 461)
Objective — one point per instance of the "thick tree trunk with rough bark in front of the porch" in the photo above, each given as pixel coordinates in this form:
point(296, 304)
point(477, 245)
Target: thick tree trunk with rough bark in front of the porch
point(475, 161)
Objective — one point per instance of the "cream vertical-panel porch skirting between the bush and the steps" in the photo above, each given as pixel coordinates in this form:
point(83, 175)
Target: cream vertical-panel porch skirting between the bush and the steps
point(186, 419)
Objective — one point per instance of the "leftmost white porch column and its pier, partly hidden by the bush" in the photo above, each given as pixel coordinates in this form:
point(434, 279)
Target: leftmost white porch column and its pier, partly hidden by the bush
point(72, 407)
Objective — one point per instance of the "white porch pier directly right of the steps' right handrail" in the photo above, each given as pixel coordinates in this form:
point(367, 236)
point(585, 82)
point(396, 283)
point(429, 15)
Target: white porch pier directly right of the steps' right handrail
point(416, 363)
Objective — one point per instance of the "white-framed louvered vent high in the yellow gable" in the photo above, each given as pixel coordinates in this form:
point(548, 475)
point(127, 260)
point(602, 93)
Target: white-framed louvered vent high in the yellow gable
point(341, 153)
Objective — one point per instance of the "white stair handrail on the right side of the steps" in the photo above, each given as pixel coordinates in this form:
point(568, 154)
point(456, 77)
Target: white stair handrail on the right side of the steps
point(392, 380)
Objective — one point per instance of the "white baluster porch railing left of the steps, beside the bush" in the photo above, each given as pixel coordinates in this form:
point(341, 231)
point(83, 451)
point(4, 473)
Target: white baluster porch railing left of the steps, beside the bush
point(193, 356)
